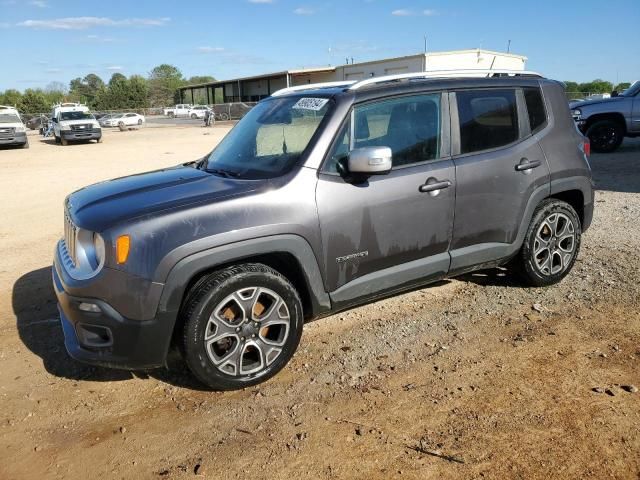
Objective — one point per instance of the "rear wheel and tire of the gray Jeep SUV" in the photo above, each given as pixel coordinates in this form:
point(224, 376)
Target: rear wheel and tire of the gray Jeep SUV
point(529, 264)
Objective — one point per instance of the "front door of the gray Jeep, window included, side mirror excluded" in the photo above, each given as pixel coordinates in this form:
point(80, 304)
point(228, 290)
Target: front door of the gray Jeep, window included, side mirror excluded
point(393, 229)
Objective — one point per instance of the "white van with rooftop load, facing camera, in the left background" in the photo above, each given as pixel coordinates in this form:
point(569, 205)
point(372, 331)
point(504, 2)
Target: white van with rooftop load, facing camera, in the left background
point(72, 122)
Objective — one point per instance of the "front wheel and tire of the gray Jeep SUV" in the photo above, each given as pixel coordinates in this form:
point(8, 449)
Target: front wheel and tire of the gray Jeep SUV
point(207, 295)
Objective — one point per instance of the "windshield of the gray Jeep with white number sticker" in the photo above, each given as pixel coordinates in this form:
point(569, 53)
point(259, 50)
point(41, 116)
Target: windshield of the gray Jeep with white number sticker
point(270, 139)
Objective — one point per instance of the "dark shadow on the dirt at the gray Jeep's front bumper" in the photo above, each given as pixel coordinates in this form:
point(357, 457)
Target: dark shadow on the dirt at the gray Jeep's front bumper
point(38, 323)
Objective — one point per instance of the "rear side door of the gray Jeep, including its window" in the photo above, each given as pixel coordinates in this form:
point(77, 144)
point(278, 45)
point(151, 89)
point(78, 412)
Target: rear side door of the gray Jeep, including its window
point(499, 167)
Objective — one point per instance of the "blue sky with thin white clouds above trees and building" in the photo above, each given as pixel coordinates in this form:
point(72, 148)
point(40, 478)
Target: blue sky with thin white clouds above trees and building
point(57, 40)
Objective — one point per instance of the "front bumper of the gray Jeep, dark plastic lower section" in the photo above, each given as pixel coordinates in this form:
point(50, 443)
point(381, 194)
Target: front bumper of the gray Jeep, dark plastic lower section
point(106, 337)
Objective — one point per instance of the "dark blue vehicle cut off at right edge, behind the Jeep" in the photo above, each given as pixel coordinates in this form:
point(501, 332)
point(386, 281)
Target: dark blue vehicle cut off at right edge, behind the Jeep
point(607, 121)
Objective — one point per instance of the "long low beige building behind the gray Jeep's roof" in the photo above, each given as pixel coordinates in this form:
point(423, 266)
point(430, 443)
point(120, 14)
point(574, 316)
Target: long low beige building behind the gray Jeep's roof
point(252, 89)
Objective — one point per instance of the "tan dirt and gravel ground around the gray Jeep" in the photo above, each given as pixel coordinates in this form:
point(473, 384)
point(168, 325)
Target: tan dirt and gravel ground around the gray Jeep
point(472, 378)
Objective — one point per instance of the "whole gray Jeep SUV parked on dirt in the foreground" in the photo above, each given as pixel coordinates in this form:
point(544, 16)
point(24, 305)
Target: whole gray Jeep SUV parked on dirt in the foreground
point(321, 198)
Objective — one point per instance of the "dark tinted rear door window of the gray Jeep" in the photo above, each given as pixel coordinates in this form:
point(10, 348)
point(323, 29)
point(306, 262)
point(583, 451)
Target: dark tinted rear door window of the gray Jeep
point(488, 119)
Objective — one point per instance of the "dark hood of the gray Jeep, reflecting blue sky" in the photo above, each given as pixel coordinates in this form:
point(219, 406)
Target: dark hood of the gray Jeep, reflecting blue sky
point(103, 205)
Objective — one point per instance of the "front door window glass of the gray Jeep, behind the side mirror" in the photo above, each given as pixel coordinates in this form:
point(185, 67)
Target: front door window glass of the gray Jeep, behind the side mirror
point(410, 126)
